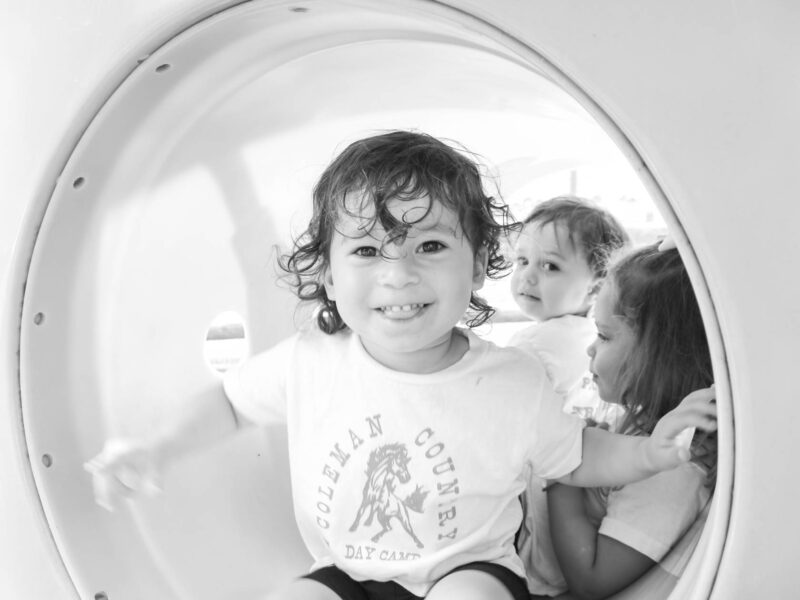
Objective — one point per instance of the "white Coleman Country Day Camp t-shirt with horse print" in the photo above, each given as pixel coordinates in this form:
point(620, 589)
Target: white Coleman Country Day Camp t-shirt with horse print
point(401, 476)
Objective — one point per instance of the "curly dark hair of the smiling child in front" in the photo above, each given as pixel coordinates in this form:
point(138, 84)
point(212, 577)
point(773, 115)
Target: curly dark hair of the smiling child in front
point(399, 165)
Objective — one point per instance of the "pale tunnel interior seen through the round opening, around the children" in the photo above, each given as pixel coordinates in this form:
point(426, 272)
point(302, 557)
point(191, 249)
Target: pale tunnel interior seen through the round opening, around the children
point(168, 212)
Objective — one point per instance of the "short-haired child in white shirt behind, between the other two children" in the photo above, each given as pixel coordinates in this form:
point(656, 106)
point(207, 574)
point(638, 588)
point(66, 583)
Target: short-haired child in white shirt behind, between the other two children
point(560, 260)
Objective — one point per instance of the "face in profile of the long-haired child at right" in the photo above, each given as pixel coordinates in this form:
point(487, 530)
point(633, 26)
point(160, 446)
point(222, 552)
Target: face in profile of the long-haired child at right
point(611, 348)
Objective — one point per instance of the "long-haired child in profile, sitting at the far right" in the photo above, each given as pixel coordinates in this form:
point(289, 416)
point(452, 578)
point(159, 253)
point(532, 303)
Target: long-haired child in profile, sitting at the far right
point(651, 352)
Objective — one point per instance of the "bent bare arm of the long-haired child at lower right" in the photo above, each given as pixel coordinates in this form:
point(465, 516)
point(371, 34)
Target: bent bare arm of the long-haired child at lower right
point(594, 565)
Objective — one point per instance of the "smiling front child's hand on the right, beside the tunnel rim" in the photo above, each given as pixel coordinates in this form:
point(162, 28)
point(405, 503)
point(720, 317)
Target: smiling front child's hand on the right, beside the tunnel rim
point(667, 447)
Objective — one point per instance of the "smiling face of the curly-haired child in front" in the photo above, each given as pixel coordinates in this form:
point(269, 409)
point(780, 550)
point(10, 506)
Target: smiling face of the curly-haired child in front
point(404, 298)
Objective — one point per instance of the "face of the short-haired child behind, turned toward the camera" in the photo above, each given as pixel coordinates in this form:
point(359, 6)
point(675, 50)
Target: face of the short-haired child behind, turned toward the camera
point(551, 277)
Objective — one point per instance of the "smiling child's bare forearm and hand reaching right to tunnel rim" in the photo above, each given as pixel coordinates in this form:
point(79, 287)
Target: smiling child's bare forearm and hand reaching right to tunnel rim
point(612, 459)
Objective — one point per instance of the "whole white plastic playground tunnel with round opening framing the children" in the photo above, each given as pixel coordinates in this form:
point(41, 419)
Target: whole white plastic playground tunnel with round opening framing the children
point(154, 152)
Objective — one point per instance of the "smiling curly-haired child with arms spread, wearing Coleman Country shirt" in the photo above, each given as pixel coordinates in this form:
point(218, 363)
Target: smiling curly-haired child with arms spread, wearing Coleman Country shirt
point(409, 436)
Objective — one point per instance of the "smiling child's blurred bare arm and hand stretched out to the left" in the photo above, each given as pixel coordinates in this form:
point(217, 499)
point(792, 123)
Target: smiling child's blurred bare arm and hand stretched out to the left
point(127, 467)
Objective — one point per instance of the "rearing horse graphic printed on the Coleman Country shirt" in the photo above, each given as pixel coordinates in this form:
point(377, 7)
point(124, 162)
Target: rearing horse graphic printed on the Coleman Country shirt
point(388, 465)
